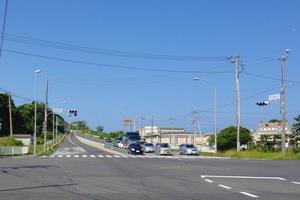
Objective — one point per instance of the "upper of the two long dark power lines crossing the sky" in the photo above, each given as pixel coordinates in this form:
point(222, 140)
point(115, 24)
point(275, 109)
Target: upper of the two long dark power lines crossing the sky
point(107, 52)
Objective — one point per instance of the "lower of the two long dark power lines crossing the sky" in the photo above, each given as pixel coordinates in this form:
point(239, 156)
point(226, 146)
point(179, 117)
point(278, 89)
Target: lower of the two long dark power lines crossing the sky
point(110, 65)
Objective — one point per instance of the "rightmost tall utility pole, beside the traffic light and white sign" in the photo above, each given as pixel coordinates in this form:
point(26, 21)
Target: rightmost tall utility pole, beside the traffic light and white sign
point(282, 102)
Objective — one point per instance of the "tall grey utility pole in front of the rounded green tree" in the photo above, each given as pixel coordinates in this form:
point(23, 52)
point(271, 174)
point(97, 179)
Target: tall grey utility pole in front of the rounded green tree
point(235, 60)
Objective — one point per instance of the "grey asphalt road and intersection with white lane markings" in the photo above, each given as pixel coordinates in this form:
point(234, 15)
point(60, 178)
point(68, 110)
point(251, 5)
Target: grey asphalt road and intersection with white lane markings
point(100, 175)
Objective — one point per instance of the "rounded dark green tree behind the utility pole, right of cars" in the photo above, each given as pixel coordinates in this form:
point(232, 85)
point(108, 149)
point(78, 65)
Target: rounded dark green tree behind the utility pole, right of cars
point(227, 138)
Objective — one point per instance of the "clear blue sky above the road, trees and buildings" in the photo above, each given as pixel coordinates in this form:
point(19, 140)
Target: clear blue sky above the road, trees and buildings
point(139, 84)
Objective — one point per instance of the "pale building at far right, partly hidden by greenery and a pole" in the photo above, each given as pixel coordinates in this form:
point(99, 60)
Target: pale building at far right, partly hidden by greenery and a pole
point(270, 134)
